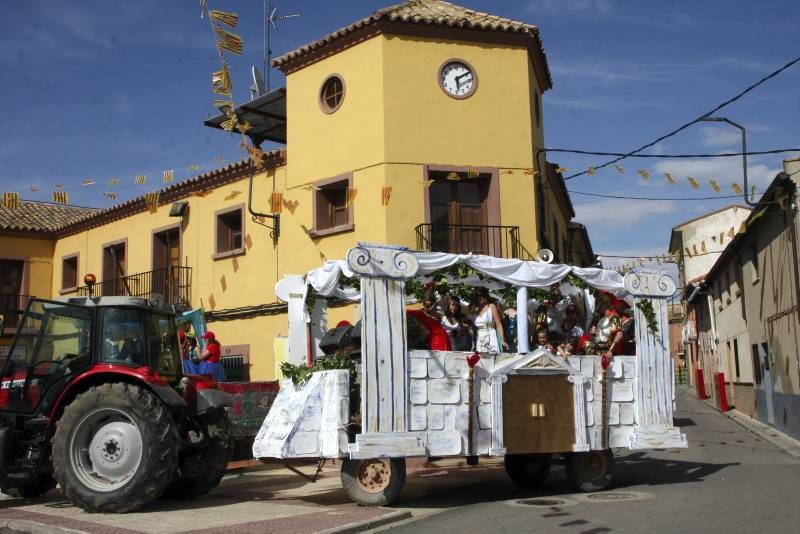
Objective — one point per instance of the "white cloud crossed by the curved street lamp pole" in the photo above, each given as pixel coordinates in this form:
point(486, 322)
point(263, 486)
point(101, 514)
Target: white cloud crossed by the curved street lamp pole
point(724, 170)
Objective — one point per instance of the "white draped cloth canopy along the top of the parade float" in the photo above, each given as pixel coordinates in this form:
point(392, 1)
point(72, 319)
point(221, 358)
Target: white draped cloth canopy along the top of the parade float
point(325, 280)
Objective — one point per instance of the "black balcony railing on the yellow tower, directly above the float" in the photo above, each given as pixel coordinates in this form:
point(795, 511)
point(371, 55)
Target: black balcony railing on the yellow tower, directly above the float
point(500, 241)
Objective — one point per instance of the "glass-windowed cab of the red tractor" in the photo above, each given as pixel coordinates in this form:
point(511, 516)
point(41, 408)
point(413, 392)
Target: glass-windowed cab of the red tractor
point(60, 339)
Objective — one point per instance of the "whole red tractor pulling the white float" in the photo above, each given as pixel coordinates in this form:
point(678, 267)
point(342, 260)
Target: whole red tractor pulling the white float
point(92, 396)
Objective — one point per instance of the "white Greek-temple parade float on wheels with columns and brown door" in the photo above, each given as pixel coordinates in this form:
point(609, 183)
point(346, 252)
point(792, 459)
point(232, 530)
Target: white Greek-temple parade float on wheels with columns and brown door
point(527, 406)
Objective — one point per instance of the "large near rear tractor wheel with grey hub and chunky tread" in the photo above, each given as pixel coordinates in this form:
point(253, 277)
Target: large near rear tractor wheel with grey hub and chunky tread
point(115, 448)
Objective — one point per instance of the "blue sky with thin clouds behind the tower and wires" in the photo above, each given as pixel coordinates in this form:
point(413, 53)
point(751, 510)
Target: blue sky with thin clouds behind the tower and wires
point(102, 89)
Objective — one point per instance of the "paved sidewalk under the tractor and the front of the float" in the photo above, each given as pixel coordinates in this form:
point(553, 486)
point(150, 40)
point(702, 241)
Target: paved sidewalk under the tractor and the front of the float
point(264, 498)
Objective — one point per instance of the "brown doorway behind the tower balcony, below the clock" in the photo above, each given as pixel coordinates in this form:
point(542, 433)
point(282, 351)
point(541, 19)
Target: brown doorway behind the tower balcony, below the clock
point(461, 213)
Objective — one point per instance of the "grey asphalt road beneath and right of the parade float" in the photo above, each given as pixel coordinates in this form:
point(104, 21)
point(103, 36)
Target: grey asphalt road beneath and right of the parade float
point(728, 480)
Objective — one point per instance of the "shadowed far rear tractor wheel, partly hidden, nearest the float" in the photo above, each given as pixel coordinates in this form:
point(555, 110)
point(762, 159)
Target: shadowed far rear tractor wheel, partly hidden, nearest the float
point(202, 470)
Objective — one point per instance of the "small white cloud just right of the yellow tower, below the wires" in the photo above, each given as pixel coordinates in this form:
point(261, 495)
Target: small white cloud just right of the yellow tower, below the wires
point(613, 213)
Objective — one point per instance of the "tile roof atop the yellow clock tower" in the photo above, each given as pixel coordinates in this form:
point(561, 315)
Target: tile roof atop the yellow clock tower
point(431, 13)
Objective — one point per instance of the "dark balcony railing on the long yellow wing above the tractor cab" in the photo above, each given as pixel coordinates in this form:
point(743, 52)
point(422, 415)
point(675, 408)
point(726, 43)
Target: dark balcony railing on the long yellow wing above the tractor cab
point(173, 283)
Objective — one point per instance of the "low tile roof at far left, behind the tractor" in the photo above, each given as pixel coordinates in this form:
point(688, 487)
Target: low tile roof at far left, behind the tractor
point(41, 216)
